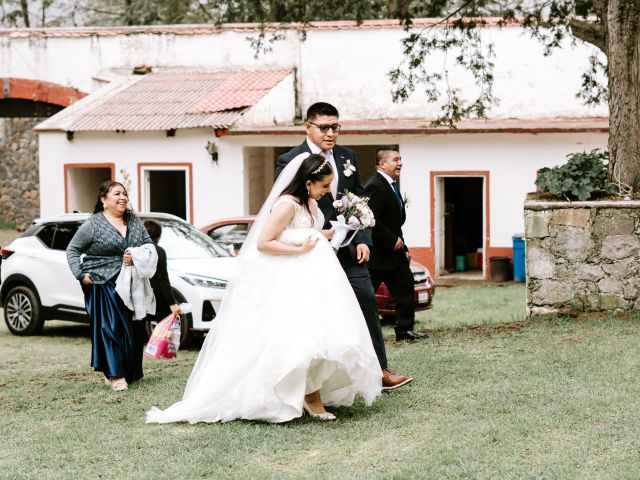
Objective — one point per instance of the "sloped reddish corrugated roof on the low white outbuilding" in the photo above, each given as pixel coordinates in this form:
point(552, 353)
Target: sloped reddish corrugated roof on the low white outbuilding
point(169, 100)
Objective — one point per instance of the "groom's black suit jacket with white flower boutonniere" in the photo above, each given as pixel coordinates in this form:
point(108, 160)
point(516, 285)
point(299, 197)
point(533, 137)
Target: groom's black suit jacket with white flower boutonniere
point(352, 183)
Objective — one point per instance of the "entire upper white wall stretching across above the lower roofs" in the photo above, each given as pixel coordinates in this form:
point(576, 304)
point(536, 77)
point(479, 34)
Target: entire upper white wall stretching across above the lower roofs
point(347, 67)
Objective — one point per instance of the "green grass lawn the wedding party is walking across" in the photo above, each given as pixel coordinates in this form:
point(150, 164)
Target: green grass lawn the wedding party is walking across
point(555, 398)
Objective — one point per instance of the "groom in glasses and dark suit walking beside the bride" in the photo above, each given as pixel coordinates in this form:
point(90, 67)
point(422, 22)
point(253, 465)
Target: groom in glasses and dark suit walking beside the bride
point(322, 132)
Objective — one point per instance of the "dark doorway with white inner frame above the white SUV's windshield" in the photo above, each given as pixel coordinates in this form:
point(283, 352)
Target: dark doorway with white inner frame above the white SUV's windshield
point(167, 189)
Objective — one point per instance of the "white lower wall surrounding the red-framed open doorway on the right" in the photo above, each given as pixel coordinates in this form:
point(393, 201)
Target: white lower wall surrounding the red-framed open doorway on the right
point(512, 160)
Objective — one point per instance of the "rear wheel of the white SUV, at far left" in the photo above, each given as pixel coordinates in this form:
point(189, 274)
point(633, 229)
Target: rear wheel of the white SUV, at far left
point(22, 311)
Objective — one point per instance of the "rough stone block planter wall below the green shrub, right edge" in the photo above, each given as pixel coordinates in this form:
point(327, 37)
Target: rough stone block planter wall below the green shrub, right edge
point(582, 256)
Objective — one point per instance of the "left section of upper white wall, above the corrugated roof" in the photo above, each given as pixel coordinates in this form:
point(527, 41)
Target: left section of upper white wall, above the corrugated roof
point(74, 61)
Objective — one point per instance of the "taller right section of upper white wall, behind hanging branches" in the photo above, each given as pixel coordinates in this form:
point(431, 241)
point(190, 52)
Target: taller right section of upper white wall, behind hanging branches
point(350, 70)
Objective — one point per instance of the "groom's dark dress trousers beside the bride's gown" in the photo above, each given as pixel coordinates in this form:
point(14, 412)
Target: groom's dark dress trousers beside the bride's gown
point(358, 275)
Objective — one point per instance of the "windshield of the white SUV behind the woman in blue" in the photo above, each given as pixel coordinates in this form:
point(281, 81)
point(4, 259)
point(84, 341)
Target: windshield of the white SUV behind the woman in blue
point(181, 240)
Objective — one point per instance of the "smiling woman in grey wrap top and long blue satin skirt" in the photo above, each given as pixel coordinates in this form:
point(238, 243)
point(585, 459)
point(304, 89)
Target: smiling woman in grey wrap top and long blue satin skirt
point(117, 341)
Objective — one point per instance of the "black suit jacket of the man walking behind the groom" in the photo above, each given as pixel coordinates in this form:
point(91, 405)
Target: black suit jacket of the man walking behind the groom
point(388, 228)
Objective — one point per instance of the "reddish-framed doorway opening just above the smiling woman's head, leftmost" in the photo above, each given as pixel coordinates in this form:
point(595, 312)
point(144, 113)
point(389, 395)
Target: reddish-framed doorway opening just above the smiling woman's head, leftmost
point(81, 183)
